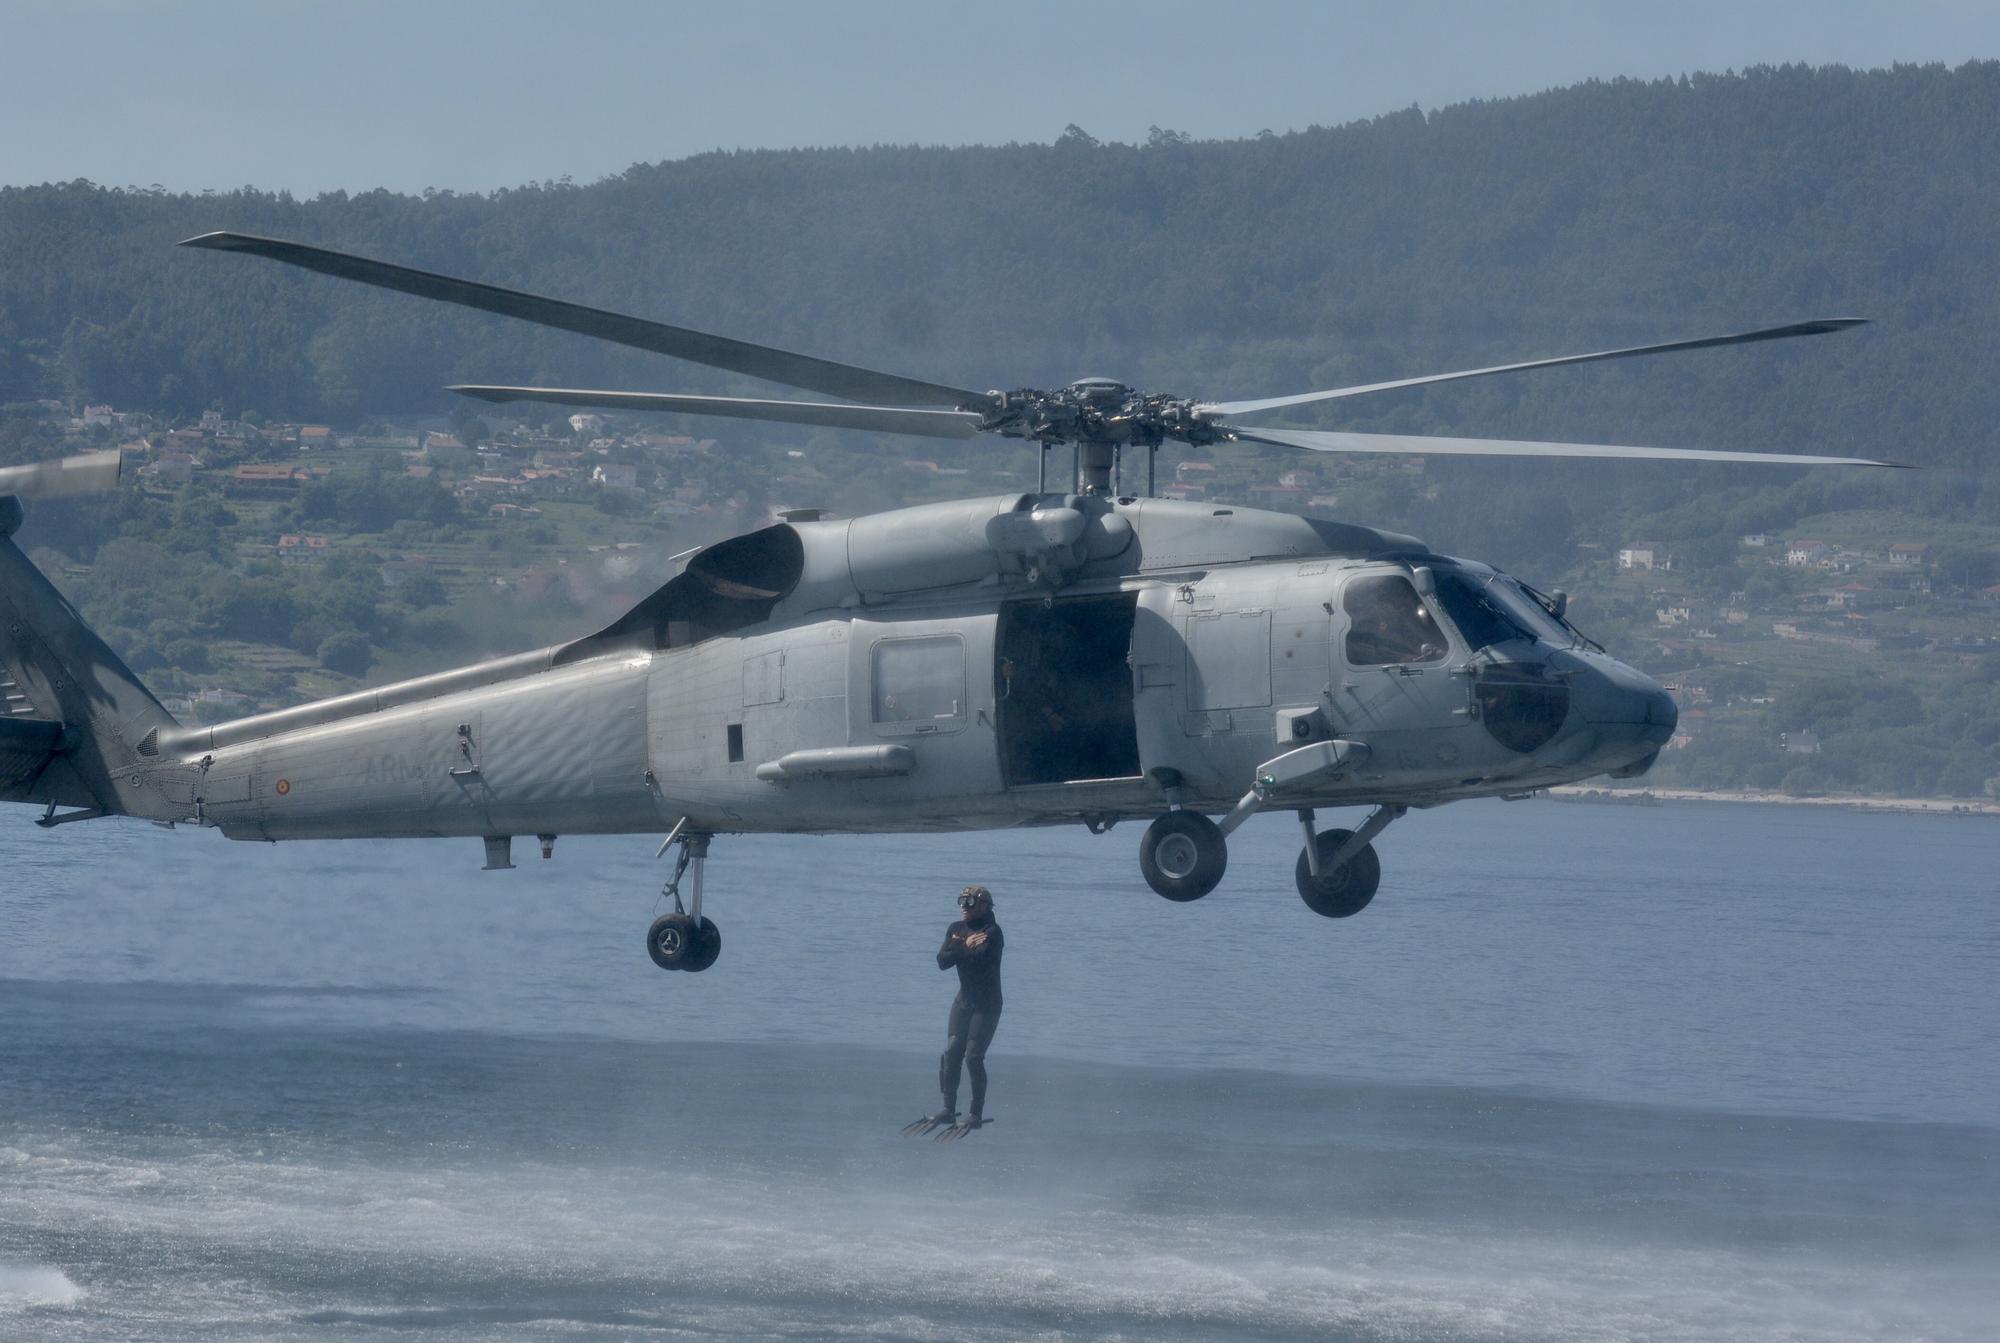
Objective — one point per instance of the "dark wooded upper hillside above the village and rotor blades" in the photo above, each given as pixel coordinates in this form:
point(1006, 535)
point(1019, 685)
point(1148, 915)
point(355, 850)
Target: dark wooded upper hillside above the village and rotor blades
point(1595, 215)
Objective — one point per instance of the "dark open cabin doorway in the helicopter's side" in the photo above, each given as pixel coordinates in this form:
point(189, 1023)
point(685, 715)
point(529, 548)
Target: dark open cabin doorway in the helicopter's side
point(1065, 690)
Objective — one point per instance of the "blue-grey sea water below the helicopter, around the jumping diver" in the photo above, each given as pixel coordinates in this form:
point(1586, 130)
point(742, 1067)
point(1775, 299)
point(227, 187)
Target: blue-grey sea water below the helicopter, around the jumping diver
point(1687, 1072)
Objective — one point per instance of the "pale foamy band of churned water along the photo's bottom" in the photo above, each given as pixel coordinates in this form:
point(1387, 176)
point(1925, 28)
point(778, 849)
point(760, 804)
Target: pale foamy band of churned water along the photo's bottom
point(675, 1244)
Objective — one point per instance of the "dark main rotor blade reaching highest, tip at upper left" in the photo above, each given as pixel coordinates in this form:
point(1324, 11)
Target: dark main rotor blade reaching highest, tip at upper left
point(739, 357)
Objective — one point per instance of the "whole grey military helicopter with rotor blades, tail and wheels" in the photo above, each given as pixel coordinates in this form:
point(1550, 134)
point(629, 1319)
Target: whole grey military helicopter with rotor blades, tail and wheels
point(1077, 657)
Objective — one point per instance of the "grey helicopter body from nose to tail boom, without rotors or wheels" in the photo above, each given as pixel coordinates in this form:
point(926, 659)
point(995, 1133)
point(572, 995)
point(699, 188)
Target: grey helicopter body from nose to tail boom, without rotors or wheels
point(1027, 661)
